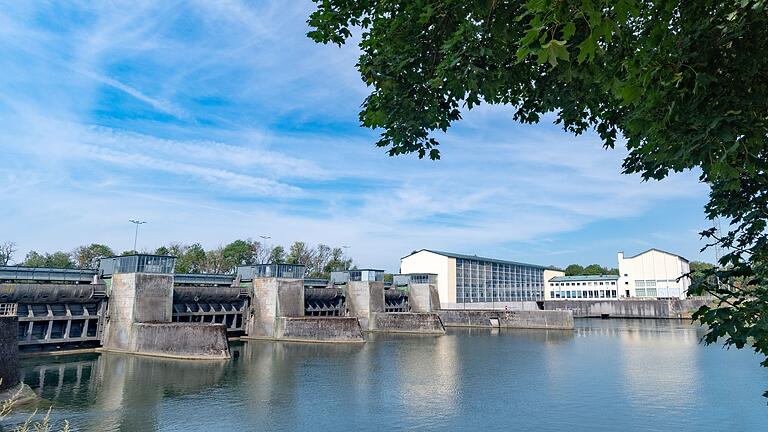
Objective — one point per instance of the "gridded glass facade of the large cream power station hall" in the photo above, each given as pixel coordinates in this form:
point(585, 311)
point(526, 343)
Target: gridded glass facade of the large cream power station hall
point(488, 281)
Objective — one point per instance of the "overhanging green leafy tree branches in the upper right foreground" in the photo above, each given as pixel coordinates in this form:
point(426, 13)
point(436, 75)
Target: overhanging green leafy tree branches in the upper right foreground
point(685, 83)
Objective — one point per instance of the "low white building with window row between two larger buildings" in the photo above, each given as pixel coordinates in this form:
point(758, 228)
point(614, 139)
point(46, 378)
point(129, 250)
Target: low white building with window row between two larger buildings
point(582, 287)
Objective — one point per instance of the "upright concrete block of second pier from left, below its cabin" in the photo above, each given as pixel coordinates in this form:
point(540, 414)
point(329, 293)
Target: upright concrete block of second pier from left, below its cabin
point(271, 299)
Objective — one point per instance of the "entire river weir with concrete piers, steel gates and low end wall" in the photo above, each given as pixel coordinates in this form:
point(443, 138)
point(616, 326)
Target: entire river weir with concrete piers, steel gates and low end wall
point(137, 304)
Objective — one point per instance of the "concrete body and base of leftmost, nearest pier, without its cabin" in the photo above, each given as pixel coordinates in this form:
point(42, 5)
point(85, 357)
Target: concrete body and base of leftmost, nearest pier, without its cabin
point(140, 314)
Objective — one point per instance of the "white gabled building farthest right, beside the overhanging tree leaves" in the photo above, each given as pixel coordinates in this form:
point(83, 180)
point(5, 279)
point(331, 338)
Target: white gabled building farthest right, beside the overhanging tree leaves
point(653, 274)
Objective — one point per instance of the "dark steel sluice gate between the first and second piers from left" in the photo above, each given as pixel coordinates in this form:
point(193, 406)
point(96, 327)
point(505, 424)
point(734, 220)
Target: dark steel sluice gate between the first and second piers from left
point(208, 298)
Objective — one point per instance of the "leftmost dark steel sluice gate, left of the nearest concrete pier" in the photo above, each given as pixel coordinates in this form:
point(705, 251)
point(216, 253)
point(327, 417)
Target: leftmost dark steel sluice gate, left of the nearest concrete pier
point(57, 308)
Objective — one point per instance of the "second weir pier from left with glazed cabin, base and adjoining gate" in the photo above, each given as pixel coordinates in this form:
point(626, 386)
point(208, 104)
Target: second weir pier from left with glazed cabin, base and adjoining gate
point(279, 305)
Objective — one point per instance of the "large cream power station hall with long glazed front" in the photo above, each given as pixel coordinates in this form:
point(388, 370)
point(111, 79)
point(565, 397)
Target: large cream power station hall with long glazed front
point(466, 281)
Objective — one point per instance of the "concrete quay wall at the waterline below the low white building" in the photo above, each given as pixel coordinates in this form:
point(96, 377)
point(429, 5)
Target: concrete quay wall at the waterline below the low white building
point(663, 309)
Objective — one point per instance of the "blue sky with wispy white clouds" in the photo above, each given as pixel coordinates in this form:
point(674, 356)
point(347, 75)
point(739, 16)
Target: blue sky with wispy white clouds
point(219, 120)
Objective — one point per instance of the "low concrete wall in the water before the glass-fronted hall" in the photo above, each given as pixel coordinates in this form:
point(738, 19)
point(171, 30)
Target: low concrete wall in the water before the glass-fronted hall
point(561, 320)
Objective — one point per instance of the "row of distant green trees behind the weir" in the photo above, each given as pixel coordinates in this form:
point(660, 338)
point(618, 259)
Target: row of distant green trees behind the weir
point(320, 260)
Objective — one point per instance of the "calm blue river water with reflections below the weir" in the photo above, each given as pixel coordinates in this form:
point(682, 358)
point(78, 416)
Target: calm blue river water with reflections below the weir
point(605, 376)
